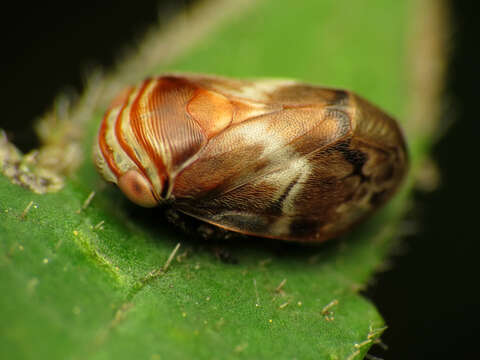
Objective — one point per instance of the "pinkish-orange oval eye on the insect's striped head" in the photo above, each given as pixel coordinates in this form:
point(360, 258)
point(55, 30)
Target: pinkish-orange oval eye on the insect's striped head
point(137, 188)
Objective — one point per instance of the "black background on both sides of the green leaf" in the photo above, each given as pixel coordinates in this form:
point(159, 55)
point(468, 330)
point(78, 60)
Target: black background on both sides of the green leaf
point(430, 298)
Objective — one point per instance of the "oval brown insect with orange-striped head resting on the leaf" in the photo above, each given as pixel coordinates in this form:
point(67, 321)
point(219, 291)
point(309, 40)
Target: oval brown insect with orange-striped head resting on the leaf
point(271, 158)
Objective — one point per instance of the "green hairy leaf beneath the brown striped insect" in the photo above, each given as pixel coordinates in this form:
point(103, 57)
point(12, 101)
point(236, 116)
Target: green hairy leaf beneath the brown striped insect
point(90, 281)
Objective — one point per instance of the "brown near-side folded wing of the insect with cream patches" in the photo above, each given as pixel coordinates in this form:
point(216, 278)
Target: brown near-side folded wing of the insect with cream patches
point(305, 173)
